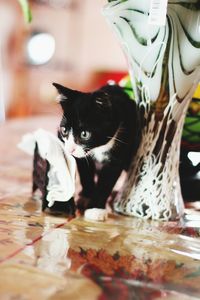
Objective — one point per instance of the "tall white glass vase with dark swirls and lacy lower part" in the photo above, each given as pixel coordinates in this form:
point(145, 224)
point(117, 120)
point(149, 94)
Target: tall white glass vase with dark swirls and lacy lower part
point(164, 68)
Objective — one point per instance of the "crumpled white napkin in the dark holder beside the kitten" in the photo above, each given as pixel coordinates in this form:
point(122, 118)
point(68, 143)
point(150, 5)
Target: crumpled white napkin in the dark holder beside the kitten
point(61, 184)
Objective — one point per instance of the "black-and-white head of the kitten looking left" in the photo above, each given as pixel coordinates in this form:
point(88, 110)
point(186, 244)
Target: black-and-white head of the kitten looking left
point(88, 124)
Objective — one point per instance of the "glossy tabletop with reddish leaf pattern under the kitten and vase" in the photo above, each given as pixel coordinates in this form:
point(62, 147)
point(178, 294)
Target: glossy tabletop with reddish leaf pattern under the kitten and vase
point(48, 257)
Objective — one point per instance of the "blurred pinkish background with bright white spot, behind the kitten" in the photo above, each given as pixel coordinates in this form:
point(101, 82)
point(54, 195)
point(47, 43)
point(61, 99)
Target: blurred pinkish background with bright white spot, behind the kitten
point(68, 41)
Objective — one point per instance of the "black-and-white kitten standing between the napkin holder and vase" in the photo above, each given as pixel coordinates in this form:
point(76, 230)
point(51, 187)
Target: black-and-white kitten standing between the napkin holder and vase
point(101, 130)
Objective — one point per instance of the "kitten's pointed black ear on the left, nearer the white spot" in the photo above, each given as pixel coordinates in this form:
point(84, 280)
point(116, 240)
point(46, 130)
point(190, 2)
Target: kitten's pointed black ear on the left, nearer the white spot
point(65, 94)
